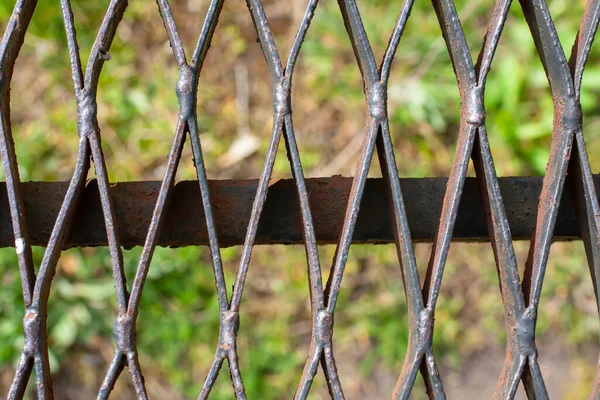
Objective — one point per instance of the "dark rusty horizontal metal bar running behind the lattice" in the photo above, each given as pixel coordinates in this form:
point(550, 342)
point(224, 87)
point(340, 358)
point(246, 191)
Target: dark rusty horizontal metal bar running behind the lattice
point(280, 223)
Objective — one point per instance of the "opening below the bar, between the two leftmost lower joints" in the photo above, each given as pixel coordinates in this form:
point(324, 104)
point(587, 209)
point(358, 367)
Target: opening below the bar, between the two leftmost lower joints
point(82, 311)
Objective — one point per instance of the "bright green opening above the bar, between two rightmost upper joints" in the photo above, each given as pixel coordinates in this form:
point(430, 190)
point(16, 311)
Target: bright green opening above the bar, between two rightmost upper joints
point(518, 102)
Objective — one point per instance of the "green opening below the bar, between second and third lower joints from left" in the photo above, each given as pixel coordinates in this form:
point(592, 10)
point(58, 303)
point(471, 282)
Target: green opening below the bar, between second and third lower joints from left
point(180, 299)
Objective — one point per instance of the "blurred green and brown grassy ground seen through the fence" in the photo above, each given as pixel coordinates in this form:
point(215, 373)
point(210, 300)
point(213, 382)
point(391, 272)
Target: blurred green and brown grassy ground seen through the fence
point(178, 323)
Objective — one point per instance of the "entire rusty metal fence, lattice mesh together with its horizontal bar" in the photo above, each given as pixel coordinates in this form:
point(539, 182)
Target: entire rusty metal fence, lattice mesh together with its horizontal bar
point(437, 202)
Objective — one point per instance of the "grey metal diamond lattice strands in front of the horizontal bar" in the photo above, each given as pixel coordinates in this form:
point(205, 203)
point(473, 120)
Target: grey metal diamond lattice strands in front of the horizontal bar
point(568, 162)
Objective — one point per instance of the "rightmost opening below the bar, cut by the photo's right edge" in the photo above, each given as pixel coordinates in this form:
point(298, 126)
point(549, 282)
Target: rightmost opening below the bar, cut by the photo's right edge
point(567, 327)
